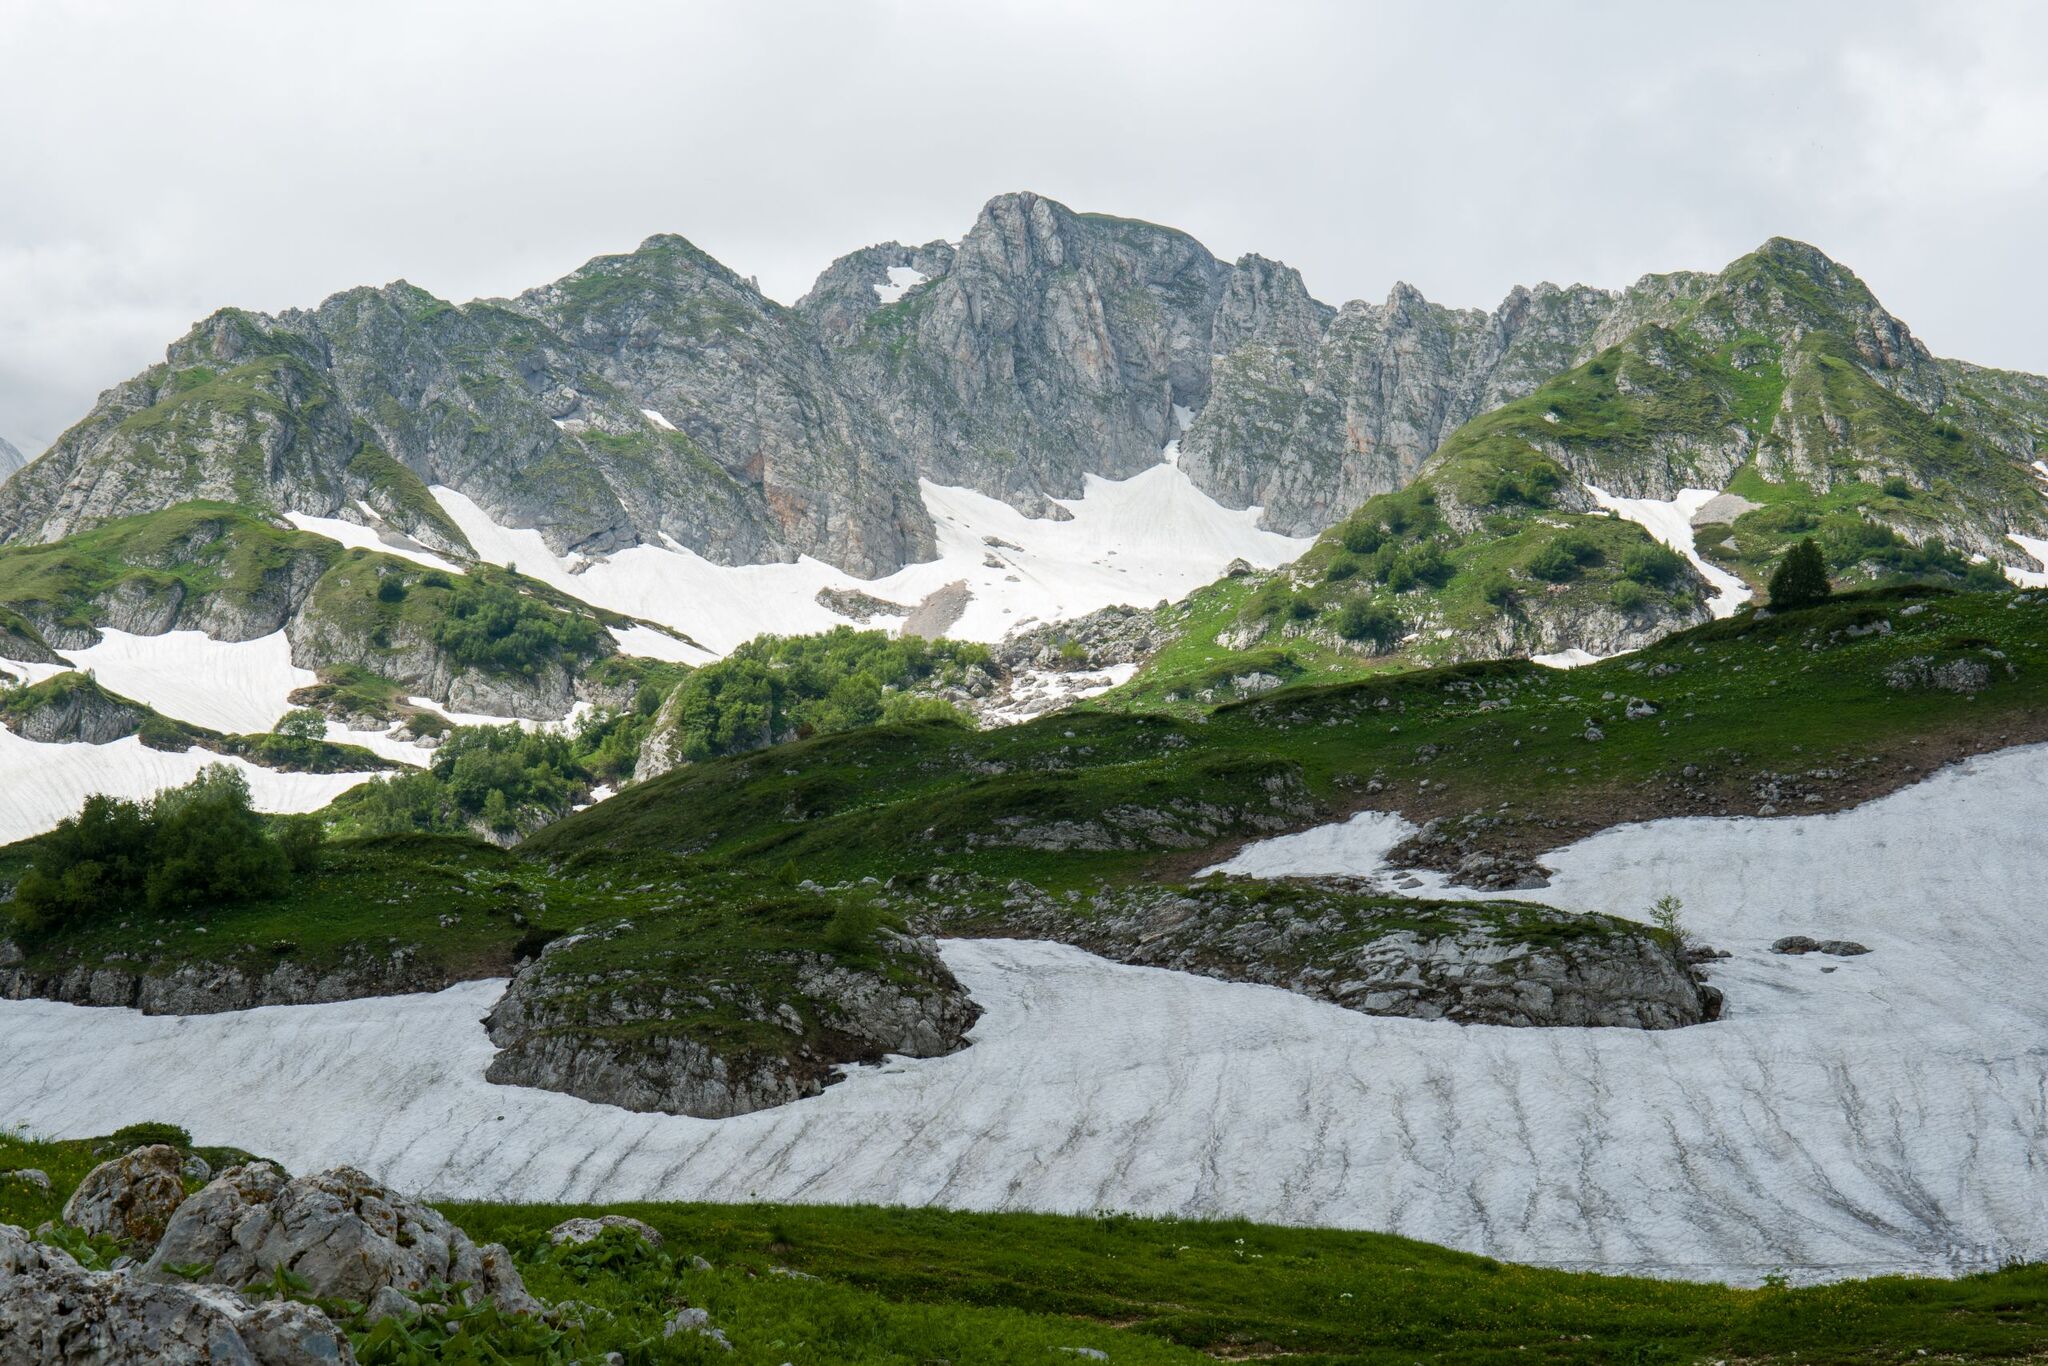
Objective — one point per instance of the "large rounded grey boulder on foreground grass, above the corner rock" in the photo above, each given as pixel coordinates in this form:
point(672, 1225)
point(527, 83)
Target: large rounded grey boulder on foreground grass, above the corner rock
point(343, 1232)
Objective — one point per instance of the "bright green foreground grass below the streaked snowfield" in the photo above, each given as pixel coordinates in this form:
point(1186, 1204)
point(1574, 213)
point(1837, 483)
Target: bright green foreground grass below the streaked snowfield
point(894, 1285)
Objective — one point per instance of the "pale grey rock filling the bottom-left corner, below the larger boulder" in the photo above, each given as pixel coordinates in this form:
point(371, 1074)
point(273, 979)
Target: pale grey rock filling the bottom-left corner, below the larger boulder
point(56, 1312)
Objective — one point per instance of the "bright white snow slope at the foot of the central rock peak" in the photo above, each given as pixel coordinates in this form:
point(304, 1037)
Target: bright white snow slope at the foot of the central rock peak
point(1129, 542)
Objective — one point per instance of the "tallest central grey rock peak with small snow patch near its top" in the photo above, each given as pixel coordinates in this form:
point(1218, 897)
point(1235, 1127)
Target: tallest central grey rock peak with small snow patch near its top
point(1050, 345)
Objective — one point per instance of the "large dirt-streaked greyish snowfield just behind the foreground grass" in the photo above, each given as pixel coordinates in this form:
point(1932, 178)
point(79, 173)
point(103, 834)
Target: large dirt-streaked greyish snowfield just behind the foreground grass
point(1850, 1115)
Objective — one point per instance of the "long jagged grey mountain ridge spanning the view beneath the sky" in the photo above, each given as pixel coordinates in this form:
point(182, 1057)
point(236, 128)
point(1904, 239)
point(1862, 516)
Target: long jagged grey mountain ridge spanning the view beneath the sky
point(656, 396)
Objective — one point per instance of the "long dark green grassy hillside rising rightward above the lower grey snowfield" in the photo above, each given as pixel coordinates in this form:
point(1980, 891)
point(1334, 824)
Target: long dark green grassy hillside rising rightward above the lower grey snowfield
point(1734, 699)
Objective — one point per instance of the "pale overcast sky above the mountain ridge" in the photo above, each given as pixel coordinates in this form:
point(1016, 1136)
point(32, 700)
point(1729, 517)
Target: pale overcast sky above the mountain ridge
point(161, 161)
